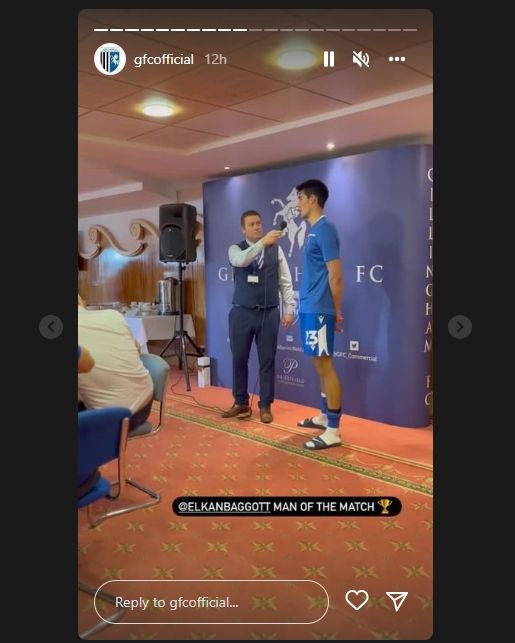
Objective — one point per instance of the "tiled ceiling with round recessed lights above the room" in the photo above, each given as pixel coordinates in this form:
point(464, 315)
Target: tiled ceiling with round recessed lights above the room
point(249, 113)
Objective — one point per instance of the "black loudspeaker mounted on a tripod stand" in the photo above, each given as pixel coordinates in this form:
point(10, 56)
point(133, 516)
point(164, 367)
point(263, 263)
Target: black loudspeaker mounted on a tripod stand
point(177, 232)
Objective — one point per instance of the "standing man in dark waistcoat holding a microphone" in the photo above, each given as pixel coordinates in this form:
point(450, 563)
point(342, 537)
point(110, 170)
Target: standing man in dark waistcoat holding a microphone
point(260, 273)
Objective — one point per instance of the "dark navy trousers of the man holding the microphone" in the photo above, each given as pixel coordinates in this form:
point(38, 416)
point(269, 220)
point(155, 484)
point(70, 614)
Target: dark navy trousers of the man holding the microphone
point(245, 326)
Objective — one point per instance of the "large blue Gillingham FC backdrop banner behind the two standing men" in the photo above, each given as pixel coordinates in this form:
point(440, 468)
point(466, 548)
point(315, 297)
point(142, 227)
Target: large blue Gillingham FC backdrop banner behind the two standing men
point(381, 204)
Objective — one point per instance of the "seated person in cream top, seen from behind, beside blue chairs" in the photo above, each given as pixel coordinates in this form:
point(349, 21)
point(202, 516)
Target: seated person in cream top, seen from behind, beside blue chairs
point(119, 377)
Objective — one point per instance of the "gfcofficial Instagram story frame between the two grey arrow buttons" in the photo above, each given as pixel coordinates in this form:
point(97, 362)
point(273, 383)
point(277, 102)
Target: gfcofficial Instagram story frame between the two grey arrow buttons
point(255, 324)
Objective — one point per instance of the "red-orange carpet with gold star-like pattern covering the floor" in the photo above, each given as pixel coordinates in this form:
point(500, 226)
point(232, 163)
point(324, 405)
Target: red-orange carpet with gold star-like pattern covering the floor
point(199, 454)
